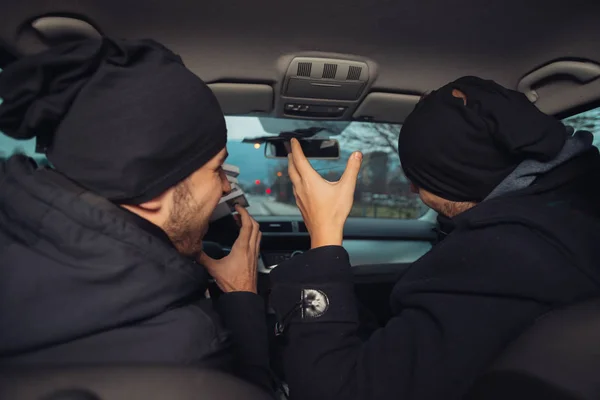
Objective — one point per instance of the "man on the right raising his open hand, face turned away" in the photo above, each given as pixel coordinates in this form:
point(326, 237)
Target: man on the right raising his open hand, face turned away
point(521, 191)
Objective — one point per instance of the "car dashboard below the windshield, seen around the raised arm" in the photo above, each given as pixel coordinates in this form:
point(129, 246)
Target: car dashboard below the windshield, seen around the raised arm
point(380, 252)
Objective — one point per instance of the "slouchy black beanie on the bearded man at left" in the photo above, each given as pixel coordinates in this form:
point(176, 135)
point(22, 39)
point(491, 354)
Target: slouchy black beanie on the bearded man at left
point(122, 118)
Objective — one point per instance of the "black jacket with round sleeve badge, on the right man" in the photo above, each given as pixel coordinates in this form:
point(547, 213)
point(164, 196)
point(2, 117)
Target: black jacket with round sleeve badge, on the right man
point(506, 262)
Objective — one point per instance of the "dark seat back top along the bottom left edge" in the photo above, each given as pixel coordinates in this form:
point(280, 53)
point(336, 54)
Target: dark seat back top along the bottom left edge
point(124, 383)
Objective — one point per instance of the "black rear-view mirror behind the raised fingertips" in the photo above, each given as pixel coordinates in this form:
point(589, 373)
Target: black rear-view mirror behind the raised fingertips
point(321, 149)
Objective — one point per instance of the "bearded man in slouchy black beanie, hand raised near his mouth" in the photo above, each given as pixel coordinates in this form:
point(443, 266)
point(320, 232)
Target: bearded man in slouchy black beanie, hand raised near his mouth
point(98, 253)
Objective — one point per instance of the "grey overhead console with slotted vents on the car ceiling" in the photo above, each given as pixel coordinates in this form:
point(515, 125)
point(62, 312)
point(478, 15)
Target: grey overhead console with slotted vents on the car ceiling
point(327, 88)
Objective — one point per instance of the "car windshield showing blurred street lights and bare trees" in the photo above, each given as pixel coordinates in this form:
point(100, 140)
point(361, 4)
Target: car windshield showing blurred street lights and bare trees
point(382, 190)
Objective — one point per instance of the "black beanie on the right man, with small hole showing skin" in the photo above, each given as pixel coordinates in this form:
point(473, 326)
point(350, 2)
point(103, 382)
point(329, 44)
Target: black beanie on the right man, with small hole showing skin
point(462, 152)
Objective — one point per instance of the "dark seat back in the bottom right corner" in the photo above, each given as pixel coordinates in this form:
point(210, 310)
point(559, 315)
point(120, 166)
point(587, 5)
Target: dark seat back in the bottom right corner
point(557, 358)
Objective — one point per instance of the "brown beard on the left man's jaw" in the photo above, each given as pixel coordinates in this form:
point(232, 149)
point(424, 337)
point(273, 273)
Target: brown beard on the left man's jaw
point(185, 227)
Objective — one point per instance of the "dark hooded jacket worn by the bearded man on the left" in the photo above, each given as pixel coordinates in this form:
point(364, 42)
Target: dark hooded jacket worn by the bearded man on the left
point(83, 281)
